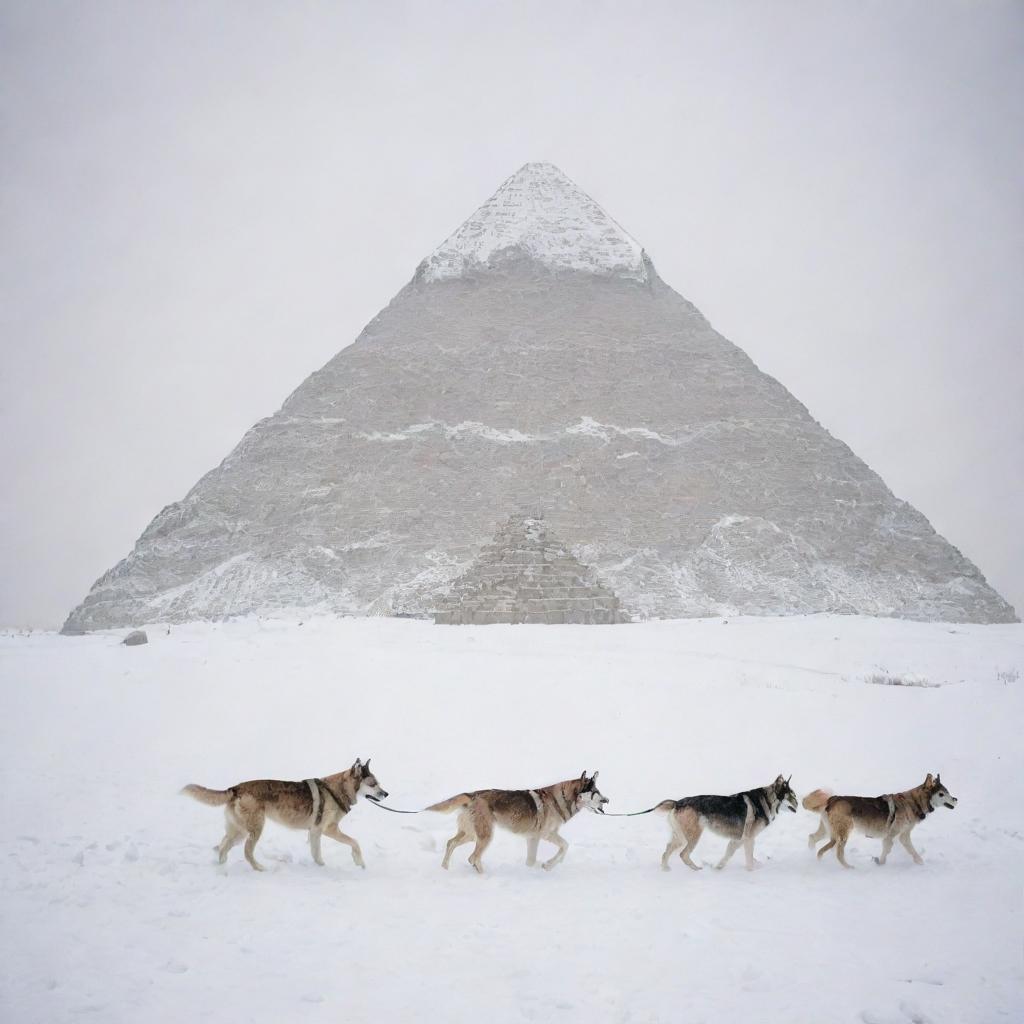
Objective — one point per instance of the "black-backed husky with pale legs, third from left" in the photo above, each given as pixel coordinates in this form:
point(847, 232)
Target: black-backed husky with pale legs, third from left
point(740, 819)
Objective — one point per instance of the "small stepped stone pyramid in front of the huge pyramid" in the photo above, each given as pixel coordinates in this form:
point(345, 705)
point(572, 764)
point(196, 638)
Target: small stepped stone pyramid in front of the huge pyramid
point(526, 576)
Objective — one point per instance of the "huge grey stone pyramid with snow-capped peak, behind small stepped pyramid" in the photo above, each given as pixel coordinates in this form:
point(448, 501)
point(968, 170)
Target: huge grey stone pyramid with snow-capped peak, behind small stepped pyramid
point(537, 361)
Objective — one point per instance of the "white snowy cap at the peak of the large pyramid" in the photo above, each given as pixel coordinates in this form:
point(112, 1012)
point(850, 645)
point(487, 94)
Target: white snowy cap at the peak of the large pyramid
point(541, 214)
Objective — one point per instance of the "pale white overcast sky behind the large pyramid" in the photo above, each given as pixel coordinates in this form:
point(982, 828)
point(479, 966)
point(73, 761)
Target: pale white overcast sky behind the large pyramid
point(203, 202)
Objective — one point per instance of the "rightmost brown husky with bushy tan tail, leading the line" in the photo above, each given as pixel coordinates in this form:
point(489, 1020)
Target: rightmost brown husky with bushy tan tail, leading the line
point(889, 818)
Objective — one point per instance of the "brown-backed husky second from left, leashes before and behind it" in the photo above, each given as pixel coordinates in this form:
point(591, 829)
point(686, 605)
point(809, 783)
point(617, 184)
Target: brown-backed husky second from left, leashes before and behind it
point(535, 814)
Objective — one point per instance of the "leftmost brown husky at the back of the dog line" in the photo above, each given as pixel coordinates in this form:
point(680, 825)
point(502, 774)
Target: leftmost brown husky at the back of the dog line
point(315, 804)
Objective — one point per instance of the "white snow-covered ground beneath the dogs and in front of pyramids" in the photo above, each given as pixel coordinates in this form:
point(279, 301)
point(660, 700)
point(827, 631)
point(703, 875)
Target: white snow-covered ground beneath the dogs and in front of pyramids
point(113, 909)
